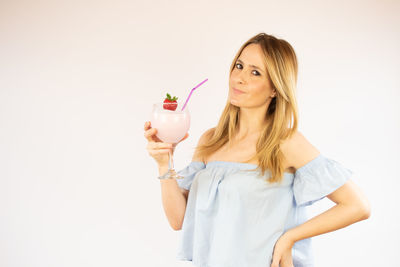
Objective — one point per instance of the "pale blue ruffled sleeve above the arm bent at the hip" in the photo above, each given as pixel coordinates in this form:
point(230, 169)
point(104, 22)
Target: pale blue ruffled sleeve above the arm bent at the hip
point(317, 179)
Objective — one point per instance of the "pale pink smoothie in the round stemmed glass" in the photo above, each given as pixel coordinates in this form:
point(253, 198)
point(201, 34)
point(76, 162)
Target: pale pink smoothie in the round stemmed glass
point(171, 125)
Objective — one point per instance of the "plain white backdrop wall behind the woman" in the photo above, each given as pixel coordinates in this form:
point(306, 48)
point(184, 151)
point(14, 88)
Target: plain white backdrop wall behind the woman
point(77, 81)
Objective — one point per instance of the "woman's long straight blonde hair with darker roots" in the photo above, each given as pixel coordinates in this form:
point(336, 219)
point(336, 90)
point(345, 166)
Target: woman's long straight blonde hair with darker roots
point(281, 62)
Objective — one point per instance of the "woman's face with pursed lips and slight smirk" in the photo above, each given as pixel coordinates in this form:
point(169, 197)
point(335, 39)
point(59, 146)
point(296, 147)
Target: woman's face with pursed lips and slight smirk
point(249, 83)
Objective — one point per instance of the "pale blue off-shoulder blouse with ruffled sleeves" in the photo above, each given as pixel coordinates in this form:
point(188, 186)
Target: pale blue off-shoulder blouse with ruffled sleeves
point(234, 217)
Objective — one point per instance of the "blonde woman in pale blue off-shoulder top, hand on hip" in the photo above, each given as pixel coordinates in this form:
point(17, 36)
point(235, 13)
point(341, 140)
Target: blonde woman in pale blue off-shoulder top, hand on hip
point(252, 176)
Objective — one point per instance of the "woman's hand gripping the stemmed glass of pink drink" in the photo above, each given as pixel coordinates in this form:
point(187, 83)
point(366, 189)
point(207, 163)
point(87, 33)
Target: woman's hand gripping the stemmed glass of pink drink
point(156, 148)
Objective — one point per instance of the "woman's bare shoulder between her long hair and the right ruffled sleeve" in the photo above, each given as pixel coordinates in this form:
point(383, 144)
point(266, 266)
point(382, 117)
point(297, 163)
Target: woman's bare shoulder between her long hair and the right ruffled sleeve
point(298, 151)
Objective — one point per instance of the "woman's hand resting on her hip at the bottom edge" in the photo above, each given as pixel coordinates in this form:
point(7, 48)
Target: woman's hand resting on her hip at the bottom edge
point(282, 256)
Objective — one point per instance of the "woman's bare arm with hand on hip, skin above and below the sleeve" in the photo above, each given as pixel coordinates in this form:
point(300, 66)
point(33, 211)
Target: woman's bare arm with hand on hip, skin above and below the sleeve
point(351, 205)
